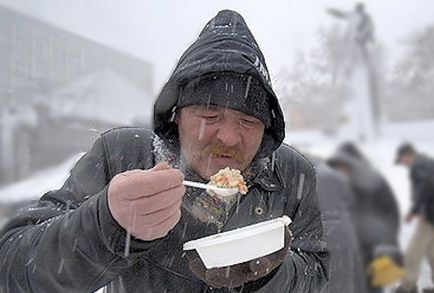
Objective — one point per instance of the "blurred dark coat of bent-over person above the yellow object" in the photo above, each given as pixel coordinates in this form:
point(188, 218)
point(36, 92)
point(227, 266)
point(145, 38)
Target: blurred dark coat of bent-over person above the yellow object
point(376, 213)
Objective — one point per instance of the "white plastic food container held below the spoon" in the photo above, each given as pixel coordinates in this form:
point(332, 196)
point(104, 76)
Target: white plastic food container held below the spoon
point(242, 244)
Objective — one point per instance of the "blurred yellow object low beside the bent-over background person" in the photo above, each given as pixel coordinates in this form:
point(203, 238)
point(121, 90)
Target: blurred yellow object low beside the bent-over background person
point(384, 271)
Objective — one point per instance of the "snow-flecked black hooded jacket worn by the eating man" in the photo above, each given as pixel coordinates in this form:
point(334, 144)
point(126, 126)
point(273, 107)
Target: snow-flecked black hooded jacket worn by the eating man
point(69, 242)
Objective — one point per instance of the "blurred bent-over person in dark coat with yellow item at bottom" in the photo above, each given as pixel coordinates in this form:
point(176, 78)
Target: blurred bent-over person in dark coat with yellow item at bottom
point(376, 217)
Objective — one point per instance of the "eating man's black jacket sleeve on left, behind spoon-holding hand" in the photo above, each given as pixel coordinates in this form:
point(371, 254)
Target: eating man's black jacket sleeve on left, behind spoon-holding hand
point(68, 241)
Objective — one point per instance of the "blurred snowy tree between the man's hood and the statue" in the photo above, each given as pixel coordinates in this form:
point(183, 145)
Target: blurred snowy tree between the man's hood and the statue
point(311, 96)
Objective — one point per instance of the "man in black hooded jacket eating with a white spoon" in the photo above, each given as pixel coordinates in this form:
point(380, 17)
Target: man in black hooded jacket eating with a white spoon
point(123, 215)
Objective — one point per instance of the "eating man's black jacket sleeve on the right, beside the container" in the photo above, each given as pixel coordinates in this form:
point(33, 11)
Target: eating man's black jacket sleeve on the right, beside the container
point(306, 267)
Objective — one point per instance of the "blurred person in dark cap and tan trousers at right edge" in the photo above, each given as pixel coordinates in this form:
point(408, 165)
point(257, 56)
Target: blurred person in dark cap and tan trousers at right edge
point(421, 244)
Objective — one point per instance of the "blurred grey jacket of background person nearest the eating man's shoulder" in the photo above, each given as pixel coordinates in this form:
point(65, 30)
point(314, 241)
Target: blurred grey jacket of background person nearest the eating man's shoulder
point(337, 202)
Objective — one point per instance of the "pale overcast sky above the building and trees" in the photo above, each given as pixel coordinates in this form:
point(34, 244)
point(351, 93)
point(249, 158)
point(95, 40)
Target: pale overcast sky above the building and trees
point(160, 30)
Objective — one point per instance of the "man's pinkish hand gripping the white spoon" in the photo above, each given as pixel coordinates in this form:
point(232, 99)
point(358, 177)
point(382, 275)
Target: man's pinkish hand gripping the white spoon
point(147, 203)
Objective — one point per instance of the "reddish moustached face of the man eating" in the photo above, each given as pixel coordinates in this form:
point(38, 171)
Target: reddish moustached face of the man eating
point(213, 138)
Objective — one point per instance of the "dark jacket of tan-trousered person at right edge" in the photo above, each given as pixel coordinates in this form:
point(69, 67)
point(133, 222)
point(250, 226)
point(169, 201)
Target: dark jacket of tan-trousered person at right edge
point(422, 178)
